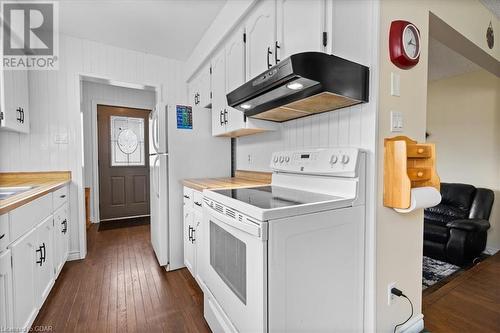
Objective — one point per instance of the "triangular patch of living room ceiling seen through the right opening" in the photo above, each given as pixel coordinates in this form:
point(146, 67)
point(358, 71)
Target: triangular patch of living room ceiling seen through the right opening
point(444, 62)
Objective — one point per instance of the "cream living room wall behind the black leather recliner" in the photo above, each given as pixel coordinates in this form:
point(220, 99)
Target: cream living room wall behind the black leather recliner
point(463, 118)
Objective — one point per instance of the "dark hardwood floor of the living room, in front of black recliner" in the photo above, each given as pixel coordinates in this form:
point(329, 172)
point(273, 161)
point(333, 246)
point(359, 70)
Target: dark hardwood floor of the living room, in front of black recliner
point(468, 303)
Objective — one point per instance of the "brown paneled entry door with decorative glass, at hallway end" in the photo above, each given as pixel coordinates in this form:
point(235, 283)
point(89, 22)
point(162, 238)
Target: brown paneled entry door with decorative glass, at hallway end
point(123, 142)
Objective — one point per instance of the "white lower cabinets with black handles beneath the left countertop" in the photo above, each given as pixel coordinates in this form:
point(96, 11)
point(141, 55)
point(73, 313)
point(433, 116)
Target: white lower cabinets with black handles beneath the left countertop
point(33, 258)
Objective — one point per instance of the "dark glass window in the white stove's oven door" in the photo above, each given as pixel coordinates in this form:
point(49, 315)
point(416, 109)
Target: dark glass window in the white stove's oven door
point(228, 259)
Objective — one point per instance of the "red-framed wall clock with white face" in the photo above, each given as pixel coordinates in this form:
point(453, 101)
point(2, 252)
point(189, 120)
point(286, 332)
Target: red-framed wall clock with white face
point(404, 44)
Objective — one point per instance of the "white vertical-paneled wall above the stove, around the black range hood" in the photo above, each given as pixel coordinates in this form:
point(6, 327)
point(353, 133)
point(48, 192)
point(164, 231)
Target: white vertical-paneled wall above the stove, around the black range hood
point(354, 37)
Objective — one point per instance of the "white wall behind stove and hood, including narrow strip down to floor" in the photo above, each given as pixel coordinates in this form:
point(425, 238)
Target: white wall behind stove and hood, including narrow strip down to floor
point(355, 126)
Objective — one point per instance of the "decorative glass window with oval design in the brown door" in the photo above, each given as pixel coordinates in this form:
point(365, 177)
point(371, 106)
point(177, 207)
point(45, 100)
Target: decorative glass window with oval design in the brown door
point(127, 141)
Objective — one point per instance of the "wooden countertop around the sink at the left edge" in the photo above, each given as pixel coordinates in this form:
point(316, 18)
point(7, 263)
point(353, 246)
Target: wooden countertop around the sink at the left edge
point(43, 182)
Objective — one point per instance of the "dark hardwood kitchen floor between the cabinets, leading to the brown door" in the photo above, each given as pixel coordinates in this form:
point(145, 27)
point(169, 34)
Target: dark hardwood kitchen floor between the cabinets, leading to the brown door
point(119, 287)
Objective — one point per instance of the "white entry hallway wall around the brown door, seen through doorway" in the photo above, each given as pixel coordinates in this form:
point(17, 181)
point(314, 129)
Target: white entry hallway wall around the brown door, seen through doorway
point(93, 92)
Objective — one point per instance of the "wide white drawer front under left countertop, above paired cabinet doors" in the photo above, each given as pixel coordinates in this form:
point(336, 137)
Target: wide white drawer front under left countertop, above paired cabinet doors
point(26, 217)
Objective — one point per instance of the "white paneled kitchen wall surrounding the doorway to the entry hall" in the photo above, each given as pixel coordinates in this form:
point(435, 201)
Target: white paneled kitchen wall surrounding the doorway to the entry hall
point(55, 109)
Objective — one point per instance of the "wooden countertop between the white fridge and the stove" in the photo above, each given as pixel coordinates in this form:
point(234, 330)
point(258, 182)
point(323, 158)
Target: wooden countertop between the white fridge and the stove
point(241, 179)
